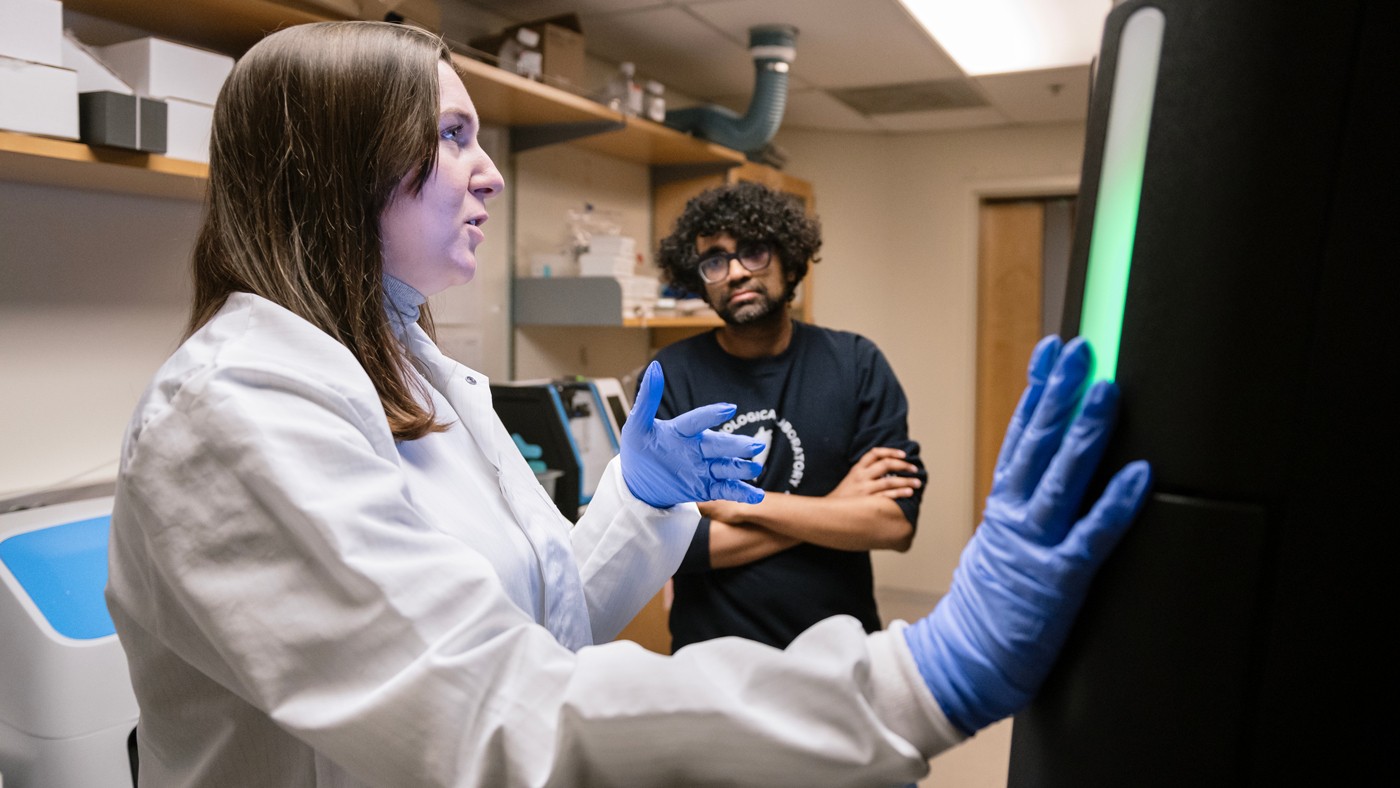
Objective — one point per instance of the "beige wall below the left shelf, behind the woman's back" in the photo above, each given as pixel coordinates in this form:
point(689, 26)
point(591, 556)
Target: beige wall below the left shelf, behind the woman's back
point(93, 297)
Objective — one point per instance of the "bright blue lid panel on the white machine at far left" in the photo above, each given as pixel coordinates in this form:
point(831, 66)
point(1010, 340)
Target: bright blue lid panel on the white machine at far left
point(64, 570)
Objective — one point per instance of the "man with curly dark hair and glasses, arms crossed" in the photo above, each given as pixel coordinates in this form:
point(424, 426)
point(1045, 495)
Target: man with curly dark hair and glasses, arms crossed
point(843, 477)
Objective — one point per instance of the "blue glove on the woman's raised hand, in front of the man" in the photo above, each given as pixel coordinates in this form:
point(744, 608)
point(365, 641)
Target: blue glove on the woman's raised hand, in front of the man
point(681, 460)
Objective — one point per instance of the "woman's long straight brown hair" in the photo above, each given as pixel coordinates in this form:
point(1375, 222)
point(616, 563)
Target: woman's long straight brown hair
point(314, 132)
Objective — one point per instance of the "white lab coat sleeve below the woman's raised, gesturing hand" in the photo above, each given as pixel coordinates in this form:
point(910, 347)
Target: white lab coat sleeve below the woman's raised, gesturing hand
point(626, 549)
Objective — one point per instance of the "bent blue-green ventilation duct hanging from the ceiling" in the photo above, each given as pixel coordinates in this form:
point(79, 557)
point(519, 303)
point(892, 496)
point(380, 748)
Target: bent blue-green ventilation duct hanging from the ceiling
point(773, 50)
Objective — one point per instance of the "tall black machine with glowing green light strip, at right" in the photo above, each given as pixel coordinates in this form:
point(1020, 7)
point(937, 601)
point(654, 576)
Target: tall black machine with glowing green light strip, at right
point(1235, 265)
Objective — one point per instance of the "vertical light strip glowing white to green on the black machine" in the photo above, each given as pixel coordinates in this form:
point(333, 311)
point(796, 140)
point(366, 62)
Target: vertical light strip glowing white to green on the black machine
point(1121, 188)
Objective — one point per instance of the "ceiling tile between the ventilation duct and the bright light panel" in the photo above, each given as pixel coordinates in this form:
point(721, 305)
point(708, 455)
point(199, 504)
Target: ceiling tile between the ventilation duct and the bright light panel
point(841, 43)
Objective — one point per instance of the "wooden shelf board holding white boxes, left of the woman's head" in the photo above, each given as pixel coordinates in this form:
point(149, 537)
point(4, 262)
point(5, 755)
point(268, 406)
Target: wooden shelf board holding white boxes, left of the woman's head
point(61, 163)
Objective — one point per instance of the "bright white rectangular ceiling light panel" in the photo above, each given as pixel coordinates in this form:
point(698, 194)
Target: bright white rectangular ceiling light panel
point(997, 37)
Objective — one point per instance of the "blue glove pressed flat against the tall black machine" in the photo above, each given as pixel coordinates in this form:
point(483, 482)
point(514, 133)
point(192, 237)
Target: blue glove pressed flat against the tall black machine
point(992, 640)
